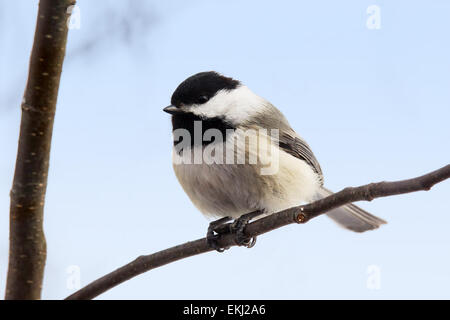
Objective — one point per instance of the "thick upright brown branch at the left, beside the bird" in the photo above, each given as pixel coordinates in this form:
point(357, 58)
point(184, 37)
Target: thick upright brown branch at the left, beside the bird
point(27, 249)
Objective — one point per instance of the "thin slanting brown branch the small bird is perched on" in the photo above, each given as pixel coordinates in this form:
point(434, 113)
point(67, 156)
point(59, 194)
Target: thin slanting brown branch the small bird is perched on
point(299, 214)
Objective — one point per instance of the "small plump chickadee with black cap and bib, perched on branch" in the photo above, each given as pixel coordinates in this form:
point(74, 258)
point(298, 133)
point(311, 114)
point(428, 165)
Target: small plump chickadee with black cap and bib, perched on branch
point(236, 156)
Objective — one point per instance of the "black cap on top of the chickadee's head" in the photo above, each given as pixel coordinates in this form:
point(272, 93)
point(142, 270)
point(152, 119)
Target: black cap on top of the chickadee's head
point(201, 87)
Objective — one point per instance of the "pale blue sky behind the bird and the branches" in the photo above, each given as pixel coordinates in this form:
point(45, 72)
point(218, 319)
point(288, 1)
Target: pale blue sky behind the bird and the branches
point(373, 104)
